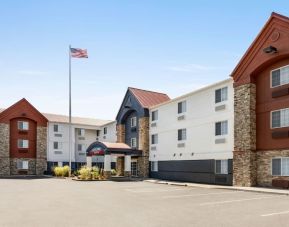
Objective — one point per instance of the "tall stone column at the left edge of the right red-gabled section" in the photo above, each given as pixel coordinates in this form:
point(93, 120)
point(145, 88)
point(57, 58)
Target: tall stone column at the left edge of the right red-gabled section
point(244, 155)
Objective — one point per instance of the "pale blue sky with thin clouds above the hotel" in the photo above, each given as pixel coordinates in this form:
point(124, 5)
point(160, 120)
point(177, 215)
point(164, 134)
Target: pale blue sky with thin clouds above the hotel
point(169, 46)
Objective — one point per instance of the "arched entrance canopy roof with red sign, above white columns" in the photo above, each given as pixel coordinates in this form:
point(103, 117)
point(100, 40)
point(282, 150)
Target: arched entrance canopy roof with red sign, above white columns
point(106, 148)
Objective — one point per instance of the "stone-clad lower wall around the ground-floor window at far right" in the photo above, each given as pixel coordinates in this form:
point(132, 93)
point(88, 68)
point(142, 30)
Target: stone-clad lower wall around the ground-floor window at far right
point(264, 166)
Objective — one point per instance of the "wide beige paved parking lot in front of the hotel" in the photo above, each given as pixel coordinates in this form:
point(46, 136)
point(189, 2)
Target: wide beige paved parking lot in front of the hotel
point(60, 202)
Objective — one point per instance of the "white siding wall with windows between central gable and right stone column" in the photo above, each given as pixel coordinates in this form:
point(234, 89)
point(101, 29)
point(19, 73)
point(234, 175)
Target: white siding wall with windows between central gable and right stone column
point(199, 120)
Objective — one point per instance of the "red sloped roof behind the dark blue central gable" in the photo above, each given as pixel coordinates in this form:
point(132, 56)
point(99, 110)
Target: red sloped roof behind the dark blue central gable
point(148, 98)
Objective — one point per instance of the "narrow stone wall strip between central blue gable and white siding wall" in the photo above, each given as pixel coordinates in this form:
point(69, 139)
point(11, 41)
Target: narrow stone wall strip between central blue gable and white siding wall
point(143, 162)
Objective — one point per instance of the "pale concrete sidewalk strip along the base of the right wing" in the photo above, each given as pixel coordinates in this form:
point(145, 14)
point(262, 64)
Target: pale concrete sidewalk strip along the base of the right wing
point(210, 186)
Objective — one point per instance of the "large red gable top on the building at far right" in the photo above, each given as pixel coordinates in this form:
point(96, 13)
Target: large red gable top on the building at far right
point(274, 32)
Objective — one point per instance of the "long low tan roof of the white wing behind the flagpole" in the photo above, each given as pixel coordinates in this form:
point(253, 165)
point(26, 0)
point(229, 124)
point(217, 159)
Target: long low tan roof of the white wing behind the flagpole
point(76, 120)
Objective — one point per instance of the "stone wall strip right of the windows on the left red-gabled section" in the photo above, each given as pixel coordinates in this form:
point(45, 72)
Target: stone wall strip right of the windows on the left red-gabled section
point(41, 150)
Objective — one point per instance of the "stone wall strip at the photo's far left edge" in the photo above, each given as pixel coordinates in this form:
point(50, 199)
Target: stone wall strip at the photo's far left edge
point(4, 149)
